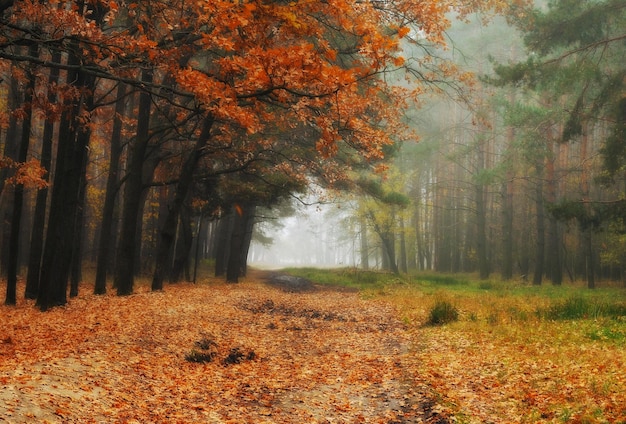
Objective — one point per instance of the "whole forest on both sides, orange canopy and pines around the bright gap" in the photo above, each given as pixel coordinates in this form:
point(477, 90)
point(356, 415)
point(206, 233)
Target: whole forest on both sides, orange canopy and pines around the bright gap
point(145, 138)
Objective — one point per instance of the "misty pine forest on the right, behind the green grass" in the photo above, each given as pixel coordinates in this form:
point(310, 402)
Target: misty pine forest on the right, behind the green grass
point(520, 179)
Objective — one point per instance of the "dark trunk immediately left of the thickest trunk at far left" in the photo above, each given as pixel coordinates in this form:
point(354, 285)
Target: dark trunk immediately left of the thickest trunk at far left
point(39, 219)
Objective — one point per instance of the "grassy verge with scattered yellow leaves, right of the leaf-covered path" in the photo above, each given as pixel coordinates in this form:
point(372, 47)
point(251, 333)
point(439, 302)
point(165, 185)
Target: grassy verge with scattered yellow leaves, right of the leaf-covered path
point(510, 352)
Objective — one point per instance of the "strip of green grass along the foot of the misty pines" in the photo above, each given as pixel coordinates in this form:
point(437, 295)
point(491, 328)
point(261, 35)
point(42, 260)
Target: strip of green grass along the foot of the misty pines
point(492, 301)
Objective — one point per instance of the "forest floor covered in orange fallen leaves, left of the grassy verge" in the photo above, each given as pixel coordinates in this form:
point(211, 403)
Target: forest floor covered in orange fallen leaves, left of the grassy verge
point(211, 353)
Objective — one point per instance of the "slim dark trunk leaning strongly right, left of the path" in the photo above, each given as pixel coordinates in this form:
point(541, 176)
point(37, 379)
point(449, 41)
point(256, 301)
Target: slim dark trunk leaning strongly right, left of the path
point(182, 188)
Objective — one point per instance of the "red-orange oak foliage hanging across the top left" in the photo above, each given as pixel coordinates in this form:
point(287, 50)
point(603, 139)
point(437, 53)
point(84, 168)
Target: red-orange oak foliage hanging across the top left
point(251, 63)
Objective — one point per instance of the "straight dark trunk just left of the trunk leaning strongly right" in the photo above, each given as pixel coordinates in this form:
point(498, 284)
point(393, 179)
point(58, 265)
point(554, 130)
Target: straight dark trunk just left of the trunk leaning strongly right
point(125, 258)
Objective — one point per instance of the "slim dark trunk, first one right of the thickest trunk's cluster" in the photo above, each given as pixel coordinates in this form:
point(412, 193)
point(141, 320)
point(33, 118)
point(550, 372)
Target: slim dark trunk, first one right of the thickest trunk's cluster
point(107, 236)
